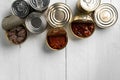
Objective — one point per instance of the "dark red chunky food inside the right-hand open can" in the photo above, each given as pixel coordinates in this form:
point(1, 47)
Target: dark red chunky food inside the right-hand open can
point(82, 29)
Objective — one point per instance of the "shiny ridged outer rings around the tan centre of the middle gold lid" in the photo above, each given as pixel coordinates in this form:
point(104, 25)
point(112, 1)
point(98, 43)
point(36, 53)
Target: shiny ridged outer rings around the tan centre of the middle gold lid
point(50, 12)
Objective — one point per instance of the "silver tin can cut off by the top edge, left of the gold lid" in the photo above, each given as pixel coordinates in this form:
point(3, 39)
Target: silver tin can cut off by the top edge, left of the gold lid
point(39, 5)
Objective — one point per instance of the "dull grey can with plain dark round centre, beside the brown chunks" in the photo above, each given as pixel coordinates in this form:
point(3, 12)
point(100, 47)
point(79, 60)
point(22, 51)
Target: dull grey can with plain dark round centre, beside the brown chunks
point(36, 22)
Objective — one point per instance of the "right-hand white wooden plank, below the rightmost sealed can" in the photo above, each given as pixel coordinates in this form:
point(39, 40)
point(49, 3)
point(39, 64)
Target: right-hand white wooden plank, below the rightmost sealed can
point(95, 58)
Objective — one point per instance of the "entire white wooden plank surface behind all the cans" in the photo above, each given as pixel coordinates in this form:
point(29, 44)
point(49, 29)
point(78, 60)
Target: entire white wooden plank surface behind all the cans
point(95, 58)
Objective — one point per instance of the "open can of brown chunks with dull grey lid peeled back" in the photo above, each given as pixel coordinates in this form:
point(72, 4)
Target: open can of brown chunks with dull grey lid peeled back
point(16, 31)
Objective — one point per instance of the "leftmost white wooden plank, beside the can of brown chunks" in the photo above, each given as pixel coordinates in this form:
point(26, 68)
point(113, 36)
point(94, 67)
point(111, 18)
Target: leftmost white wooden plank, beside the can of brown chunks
point(8, 52)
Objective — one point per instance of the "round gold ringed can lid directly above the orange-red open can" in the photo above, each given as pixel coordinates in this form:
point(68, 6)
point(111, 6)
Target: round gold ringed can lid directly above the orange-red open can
point(58, 15)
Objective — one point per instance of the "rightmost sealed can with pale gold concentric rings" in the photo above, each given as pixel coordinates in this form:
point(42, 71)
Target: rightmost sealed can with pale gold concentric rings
point(105, 15)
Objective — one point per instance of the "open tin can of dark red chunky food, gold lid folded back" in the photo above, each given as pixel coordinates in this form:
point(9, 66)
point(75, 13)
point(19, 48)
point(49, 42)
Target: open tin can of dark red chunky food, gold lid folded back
point(82, 26)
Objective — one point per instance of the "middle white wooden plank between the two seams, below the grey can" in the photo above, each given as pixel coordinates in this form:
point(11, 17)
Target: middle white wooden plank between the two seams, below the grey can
point(38, 62)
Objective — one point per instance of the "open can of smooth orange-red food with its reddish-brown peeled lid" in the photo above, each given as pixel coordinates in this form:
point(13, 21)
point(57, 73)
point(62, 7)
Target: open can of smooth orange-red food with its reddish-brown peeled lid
point(57, 38)
